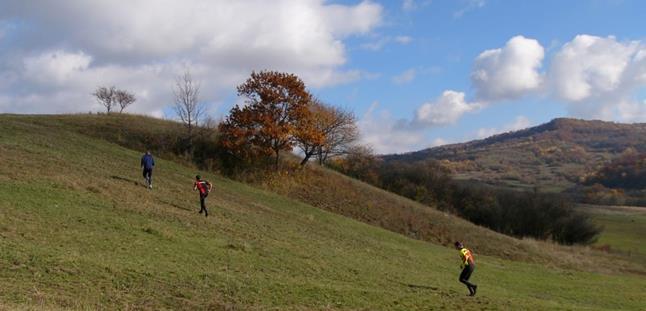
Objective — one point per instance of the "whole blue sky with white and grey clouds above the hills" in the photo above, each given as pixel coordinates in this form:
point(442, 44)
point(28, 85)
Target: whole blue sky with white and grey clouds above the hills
point(416, 73)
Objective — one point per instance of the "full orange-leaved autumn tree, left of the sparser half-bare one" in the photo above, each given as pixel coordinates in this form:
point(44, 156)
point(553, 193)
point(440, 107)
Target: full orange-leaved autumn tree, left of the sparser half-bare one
point(276, 111)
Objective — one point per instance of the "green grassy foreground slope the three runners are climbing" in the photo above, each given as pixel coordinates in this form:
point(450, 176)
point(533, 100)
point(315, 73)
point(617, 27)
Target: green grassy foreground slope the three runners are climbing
point(79, 231)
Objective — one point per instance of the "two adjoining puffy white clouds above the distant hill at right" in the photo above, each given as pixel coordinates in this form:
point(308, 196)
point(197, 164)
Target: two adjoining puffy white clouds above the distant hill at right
point(596, 77)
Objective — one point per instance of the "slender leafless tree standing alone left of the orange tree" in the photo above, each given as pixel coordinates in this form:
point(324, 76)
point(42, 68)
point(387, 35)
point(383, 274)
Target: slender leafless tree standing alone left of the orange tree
point(187, 104)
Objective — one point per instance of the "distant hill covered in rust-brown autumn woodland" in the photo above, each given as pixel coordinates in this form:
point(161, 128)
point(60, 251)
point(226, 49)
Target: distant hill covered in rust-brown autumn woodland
point(553, 156)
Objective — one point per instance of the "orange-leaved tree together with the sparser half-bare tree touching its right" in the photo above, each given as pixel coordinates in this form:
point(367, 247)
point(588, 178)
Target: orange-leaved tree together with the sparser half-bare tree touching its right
point(280, 114)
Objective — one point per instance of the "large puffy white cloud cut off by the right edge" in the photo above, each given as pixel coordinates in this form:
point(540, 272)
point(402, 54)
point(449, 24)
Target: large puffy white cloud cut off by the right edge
point(598, 76)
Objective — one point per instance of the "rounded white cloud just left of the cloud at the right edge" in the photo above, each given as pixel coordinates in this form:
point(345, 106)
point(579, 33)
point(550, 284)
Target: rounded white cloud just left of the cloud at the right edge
point(508, 72)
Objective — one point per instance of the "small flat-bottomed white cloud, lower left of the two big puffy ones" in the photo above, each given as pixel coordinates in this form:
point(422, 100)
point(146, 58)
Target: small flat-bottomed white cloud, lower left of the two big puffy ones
point(445, 110)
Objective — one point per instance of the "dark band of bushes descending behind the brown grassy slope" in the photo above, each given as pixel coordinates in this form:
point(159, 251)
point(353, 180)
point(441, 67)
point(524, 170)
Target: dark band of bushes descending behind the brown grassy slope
point(519, 214)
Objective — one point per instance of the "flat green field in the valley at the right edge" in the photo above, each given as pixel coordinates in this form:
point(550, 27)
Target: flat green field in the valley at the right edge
point(624, 228)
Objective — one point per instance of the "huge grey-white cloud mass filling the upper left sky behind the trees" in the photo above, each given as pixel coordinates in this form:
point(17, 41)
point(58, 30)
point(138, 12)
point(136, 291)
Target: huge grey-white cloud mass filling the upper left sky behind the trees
point(69, 47)
